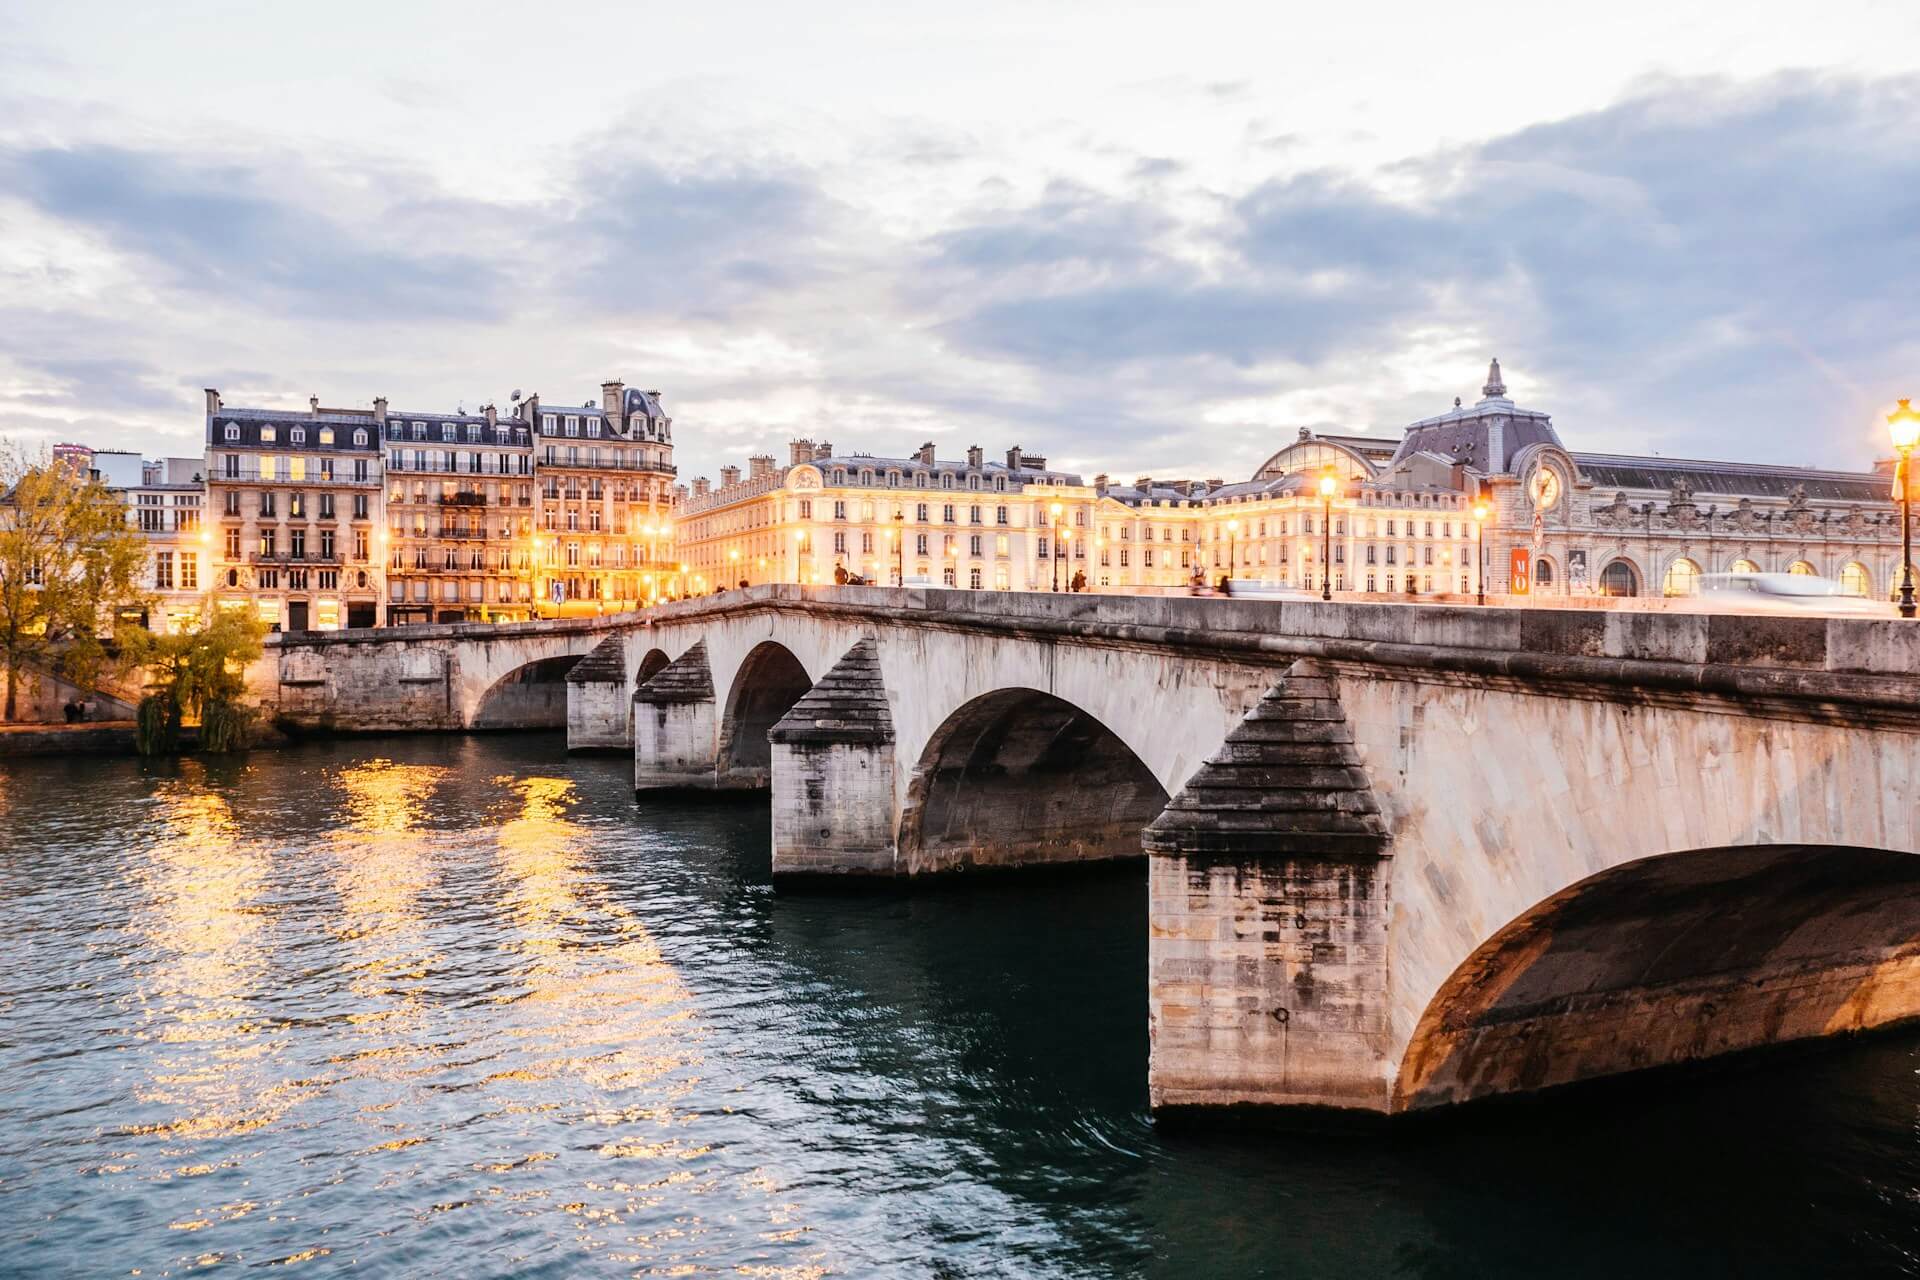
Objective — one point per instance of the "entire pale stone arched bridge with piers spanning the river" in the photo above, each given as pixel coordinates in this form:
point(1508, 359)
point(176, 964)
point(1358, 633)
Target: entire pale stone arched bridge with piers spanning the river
point(1399, 857)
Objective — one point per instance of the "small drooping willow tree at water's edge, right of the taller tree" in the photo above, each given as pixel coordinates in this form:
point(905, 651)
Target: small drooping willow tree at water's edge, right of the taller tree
point(199, 675)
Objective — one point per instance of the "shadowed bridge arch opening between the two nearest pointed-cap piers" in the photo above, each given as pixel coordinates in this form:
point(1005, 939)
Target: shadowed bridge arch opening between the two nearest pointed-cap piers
point(1022, 778)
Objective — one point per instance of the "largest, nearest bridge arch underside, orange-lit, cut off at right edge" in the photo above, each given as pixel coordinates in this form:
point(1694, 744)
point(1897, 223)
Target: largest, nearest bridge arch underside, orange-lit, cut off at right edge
point(1669, 960)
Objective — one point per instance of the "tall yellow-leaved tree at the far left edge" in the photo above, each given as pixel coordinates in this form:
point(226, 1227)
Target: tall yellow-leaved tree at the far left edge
point(68, 567)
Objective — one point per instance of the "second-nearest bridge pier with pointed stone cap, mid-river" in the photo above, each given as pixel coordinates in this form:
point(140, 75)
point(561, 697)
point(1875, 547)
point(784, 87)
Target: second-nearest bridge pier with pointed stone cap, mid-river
point(834, 774)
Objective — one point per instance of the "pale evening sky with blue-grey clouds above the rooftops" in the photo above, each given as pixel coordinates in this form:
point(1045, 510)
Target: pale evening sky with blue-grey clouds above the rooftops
point(1140, 239)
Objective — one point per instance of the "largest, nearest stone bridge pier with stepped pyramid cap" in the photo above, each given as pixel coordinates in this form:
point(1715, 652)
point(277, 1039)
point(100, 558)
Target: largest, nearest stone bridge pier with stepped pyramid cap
point(1268, 918)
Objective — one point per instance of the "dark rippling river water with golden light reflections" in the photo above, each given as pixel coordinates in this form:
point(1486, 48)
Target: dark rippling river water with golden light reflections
point(462, 1008)
